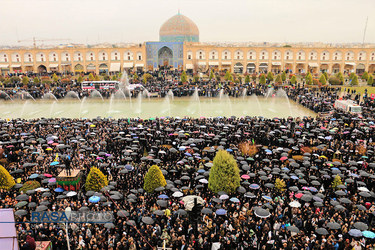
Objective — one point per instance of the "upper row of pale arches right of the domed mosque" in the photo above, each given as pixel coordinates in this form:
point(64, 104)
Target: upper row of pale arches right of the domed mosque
point(278, 55)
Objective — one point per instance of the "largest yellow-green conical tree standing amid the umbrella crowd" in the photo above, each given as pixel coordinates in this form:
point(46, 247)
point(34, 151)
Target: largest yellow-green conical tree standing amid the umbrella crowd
point(224, 174)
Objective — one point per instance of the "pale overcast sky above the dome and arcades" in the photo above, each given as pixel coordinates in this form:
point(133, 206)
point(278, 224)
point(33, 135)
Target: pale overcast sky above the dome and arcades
point(94, 21)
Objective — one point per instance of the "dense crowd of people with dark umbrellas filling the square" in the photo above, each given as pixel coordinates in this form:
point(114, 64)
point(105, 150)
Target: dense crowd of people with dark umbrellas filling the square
point(306, 153)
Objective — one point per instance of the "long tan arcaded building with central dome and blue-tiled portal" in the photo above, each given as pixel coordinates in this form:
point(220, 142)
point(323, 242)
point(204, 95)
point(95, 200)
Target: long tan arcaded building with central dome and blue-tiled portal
point(179, 48)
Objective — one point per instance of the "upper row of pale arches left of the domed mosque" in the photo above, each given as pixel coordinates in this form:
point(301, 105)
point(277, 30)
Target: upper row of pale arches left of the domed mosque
point(67, 56)
